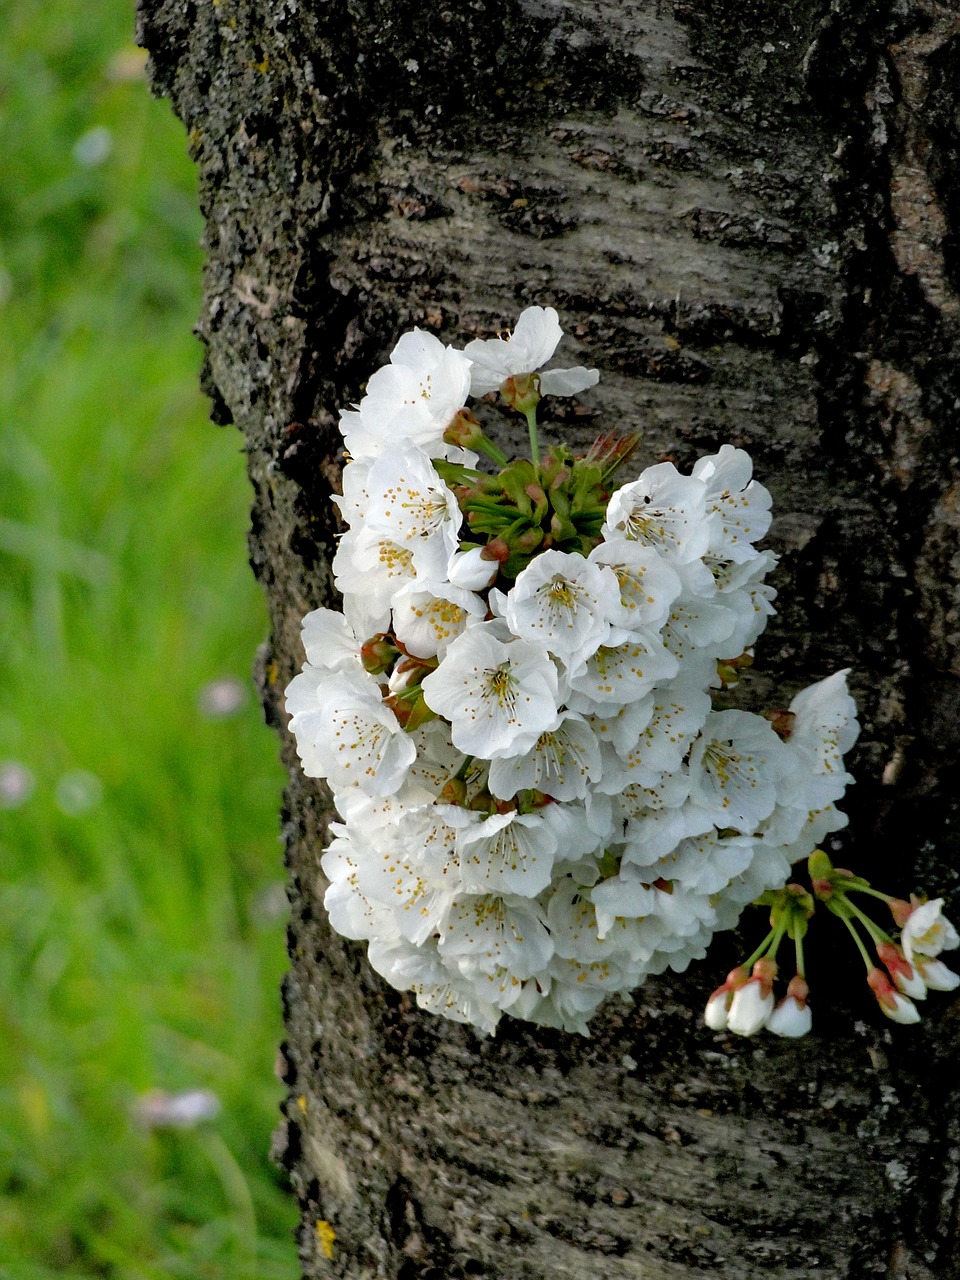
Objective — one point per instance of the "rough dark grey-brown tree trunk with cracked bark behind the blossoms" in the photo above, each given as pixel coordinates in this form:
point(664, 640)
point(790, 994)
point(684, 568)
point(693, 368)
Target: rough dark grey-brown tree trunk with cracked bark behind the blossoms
point(748, 214)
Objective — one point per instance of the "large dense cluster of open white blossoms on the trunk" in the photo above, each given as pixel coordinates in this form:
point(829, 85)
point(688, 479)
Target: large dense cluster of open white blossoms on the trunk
point(541, 804)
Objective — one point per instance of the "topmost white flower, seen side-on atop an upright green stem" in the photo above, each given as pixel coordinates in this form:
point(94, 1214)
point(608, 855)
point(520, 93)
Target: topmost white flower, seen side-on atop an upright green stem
point(532, 345)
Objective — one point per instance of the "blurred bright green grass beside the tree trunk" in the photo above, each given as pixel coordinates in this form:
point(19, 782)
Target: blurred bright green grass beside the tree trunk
point(141, 907)
